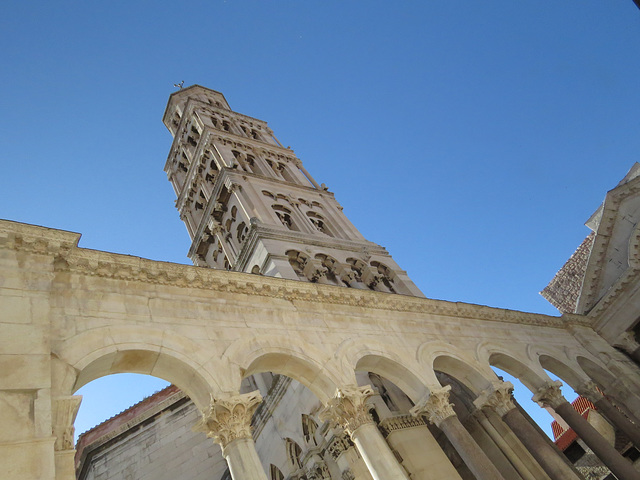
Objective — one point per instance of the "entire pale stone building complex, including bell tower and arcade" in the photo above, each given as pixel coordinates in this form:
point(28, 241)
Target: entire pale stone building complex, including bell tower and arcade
point(304, 350)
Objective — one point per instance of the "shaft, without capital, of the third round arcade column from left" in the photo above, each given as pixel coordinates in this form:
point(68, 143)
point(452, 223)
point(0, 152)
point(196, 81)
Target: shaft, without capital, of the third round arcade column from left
point(469, 450)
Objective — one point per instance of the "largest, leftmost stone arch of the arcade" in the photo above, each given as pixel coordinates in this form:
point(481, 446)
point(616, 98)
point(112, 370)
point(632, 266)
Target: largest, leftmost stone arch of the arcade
point(111, 350)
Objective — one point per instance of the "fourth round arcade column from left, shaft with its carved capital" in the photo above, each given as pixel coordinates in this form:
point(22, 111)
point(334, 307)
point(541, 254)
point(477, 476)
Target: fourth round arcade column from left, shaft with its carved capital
point(499, 399)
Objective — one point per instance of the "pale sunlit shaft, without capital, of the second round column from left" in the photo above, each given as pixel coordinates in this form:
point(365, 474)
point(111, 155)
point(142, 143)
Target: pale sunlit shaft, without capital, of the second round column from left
point(376, 453)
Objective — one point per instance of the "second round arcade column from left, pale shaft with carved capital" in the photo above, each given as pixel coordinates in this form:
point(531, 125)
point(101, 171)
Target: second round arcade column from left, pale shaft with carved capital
point(348, 409)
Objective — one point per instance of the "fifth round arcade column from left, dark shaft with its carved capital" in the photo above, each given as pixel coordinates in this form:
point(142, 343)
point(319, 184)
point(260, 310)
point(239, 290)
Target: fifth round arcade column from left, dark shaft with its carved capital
point(550, 396)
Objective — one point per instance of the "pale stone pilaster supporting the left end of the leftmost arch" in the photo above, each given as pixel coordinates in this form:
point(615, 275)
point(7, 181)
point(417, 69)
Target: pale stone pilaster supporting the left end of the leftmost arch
point(63, 415)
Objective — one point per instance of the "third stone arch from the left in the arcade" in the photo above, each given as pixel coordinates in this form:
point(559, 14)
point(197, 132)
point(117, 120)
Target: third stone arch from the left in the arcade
point(378, 358)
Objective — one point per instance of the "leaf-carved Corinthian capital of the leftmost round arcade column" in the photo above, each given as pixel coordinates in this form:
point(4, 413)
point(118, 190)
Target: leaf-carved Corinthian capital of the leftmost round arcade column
point(229, 417)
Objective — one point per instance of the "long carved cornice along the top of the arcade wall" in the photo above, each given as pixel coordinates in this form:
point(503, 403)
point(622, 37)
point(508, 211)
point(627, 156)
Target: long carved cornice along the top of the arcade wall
point(114, 266)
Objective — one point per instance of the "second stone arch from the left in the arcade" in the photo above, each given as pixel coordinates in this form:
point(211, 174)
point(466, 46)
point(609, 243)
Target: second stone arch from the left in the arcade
point(286, 356)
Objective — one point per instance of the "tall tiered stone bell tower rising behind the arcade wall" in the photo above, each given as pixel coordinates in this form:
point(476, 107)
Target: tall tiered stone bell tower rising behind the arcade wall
point(250, 206)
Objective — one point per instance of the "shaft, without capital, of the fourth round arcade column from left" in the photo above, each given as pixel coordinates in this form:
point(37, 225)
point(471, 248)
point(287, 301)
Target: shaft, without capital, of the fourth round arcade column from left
point(546, 455)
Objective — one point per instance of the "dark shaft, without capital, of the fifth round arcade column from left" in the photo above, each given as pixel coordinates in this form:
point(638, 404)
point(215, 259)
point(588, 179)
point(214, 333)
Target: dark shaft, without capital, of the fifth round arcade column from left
point(621, 467)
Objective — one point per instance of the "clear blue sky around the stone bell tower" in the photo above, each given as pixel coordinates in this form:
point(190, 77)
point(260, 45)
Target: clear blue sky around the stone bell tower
point(472, 139)
